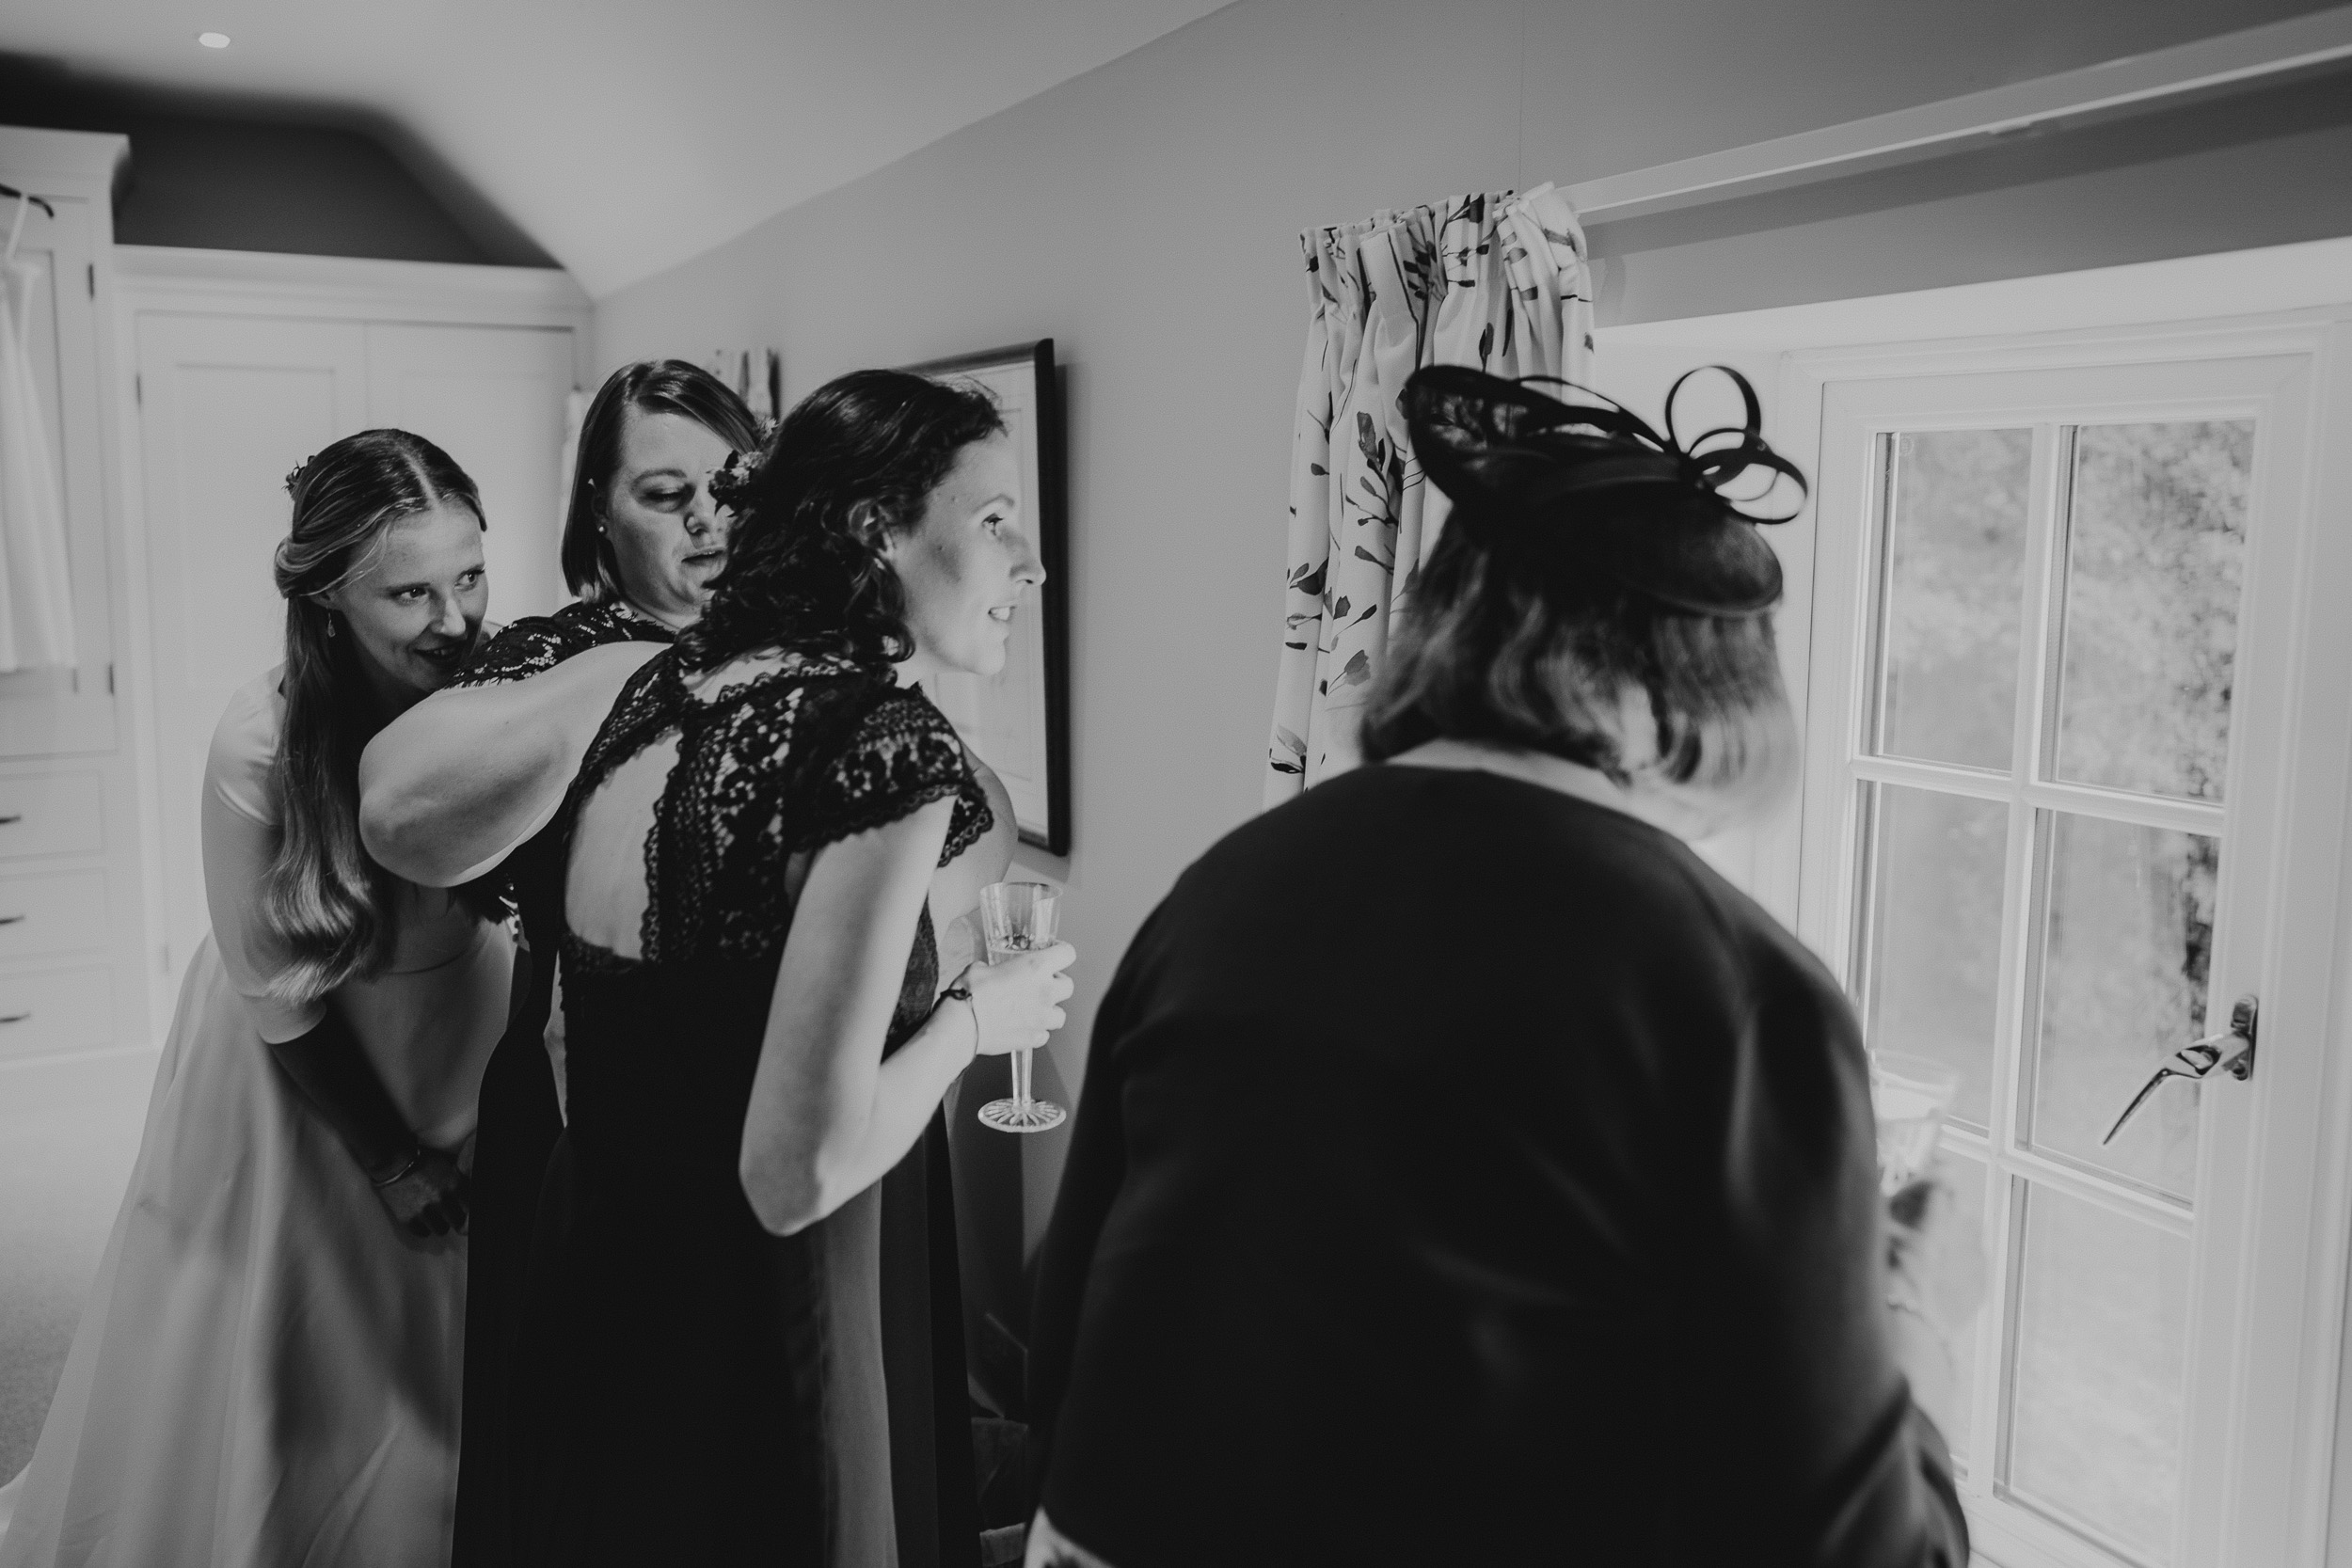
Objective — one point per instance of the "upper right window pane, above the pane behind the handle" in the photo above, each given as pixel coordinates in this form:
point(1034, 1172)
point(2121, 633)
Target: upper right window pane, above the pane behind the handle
point(2156, 556)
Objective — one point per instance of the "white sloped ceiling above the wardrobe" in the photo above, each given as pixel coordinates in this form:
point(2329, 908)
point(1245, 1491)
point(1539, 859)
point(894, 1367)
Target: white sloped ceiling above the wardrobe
point(617, 135)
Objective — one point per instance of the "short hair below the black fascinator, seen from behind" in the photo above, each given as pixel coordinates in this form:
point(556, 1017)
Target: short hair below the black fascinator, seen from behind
point(1492, 652)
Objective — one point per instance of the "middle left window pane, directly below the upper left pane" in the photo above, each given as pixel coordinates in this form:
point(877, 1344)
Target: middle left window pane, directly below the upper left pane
point(1937, 934)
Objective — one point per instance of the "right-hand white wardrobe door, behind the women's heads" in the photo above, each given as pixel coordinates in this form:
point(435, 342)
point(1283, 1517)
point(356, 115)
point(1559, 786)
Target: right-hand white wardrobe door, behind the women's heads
point(495, 401)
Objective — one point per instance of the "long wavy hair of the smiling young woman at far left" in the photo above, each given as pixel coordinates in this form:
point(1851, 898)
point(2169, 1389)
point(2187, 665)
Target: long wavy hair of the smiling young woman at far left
point(323, 897)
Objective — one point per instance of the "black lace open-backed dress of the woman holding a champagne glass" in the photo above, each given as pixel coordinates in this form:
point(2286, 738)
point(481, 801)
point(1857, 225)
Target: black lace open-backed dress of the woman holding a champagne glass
point(730, 1395)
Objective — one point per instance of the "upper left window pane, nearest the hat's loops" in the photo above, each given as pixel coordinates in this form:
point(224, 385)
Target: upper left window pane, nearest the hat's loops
point(1956, 570)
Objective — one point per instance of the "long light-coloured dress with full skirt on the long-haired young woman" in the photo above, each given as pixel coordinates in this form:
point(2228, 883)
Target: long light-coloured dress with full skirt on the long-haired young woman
point(267, 1372)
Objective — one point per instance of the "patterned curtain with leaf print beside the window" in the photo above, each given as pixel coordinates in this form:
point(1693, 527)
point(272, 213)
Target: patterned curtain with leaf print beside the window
point(1492, 281)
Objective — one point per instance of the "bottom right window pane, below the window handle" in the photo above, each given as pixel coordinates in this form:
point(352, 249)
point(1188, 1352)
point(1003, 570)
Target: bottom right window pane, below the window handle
point(2099, 1369)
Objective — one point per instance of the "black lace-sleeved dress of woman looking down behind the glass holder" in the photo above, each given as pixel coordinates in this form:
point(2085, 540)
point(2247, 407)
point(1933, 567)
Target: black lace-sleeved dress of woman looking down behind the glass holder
point(521, 1120)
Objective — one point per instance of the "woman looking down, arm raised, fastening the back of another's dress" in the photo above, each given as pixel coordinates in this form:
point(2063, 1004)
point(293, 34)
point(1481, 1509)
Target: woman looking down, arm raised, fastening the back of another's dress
point(450, 793)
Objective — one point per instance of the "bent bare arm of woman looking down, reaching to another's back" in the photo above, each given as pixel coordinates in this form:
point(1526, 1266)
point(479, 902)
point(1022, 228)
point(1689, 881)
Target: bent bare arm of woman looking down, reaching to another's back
point(465, 777)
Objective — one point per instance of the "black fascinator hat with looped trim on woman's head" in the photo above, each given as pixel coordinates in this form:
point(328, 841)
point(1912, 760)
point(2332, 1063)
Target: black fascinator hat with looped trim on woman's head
point(1586, 490)
